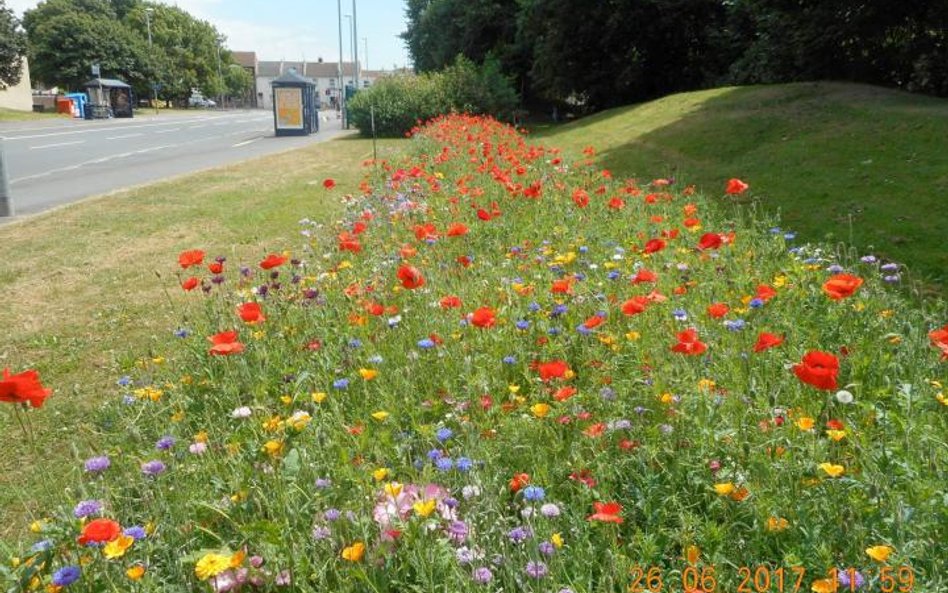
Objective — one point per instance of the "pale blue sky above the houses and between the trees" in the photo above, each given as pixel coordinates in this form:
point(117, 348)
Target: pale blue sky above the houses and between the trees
point(299, 29)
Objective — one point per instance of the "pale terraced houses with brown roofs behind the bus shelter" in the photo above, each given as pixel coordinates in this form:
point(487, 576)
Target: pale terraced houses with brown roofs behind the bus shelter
point(324, 74)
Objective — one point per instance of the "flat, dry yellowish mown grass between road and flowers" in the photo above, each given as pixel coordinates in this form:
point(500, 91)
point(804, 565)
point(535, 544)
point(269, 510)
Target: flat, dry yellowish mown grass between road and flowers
point(84, 298)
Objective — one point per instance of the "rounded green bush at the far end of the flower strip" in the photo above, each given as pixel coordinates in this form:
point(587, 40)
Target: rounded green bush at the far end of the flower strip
point(401, 102)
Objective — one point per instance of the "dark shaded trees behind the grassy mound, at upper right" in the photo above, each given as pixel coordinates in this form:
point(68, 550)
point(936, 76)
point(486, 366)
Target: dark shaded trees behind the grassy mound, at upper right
point(598, 54)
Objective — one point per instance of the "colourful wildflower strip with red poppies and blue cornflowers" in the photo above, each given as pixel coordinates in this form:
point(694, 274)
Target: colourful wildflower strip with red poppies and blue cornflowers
point(507, 369)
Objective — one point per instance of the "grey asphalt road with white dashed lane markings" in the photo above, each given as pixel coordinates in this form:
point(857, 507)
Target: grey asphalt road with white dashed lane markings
point(61, 161)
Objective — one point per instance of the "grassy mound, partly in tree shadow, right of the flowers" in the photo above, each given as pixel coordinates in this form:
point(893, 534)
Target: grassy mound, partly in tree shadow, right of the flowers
point(839, 162)
